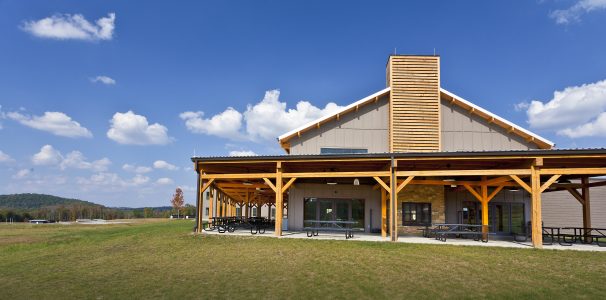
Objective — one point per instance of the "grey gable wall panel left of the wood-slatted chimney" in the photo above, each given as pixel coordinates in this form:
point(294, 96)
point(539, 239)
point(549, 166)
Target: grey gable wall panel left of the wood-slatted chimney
point(365, 129)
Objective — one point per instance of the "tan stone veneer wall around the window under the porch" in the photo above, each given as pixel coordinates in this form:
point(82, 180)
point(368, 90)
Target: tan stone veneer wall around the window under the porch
point(422, 193)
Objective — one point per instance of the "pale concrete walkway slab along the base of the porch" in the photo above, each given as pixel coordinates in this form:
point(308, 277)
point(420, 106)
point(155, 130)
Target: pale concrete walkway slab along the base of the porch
point(412, 239)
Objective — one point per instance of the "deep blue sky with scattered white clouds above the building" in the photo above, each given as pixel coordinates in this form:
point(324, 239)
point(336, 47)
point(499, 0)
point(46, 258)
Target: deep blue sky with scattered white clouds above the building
point(107, 100)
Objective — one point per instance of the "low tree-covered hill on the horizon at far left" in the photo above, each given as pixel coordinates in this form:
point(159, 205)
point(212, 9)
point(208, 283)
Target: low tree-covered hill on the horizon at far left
point(36, 201)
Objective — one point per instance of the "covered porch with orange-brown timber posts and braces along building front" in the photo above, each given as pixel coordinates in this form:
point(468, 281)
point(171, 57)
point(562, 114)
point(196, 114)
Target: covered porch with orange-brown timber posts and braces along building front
point(242, 183)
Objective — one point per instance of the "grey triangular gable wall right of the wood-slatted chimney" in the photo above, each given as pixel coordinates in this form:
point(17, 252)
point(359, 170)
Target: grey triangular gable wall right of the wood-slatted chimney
point(462, 131)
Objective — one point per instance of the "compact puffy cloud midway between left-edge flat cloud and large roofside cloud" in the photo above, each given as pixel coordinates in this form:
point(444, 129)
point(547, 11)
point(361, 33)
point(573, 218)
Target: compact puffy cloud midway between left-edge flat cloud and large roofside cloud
point(132, 129)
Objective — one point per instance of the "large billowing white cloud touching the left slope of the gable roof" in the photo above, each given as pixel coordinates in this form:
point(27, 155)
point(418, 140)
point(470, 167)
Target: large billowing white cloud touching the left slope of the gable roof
point(263, 121)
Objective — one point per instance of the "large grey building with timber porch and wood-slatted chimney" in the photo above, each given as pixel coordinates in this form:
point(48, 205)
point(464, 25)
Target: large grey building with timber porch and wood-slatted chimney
point(416, 154)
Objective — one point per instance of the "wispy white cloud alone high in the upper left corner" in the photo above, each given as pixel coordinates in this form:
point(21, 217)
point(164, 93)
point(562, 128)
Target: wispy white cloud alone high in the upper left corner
point(76, 27)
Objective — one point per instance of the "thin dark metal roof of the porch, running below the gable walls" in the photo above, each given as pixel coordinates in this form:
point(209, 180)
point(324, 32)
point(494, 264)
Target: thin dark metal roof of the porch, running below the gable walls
point(530, 153)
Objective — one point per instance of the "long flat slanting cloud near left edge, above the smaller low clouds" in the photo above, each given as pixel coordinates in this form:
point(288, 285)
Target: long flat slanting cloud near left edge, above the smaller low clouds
point(56, 123)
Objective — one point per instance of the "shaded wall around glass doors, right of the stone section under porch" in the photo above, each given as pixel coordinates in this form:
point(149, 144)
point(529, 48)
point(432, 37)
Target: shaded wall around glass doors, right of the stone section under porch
point(455, 199)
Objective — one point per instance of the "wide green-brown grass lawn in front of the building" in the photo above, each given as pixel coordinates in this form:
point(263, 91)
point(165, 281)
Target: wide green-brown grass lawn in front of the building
point(163, 260)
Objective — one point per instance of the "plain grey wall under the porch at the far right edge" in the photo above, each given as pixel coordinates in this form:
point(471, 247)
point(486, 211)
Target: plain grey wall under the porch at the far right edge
point(561, 209)
